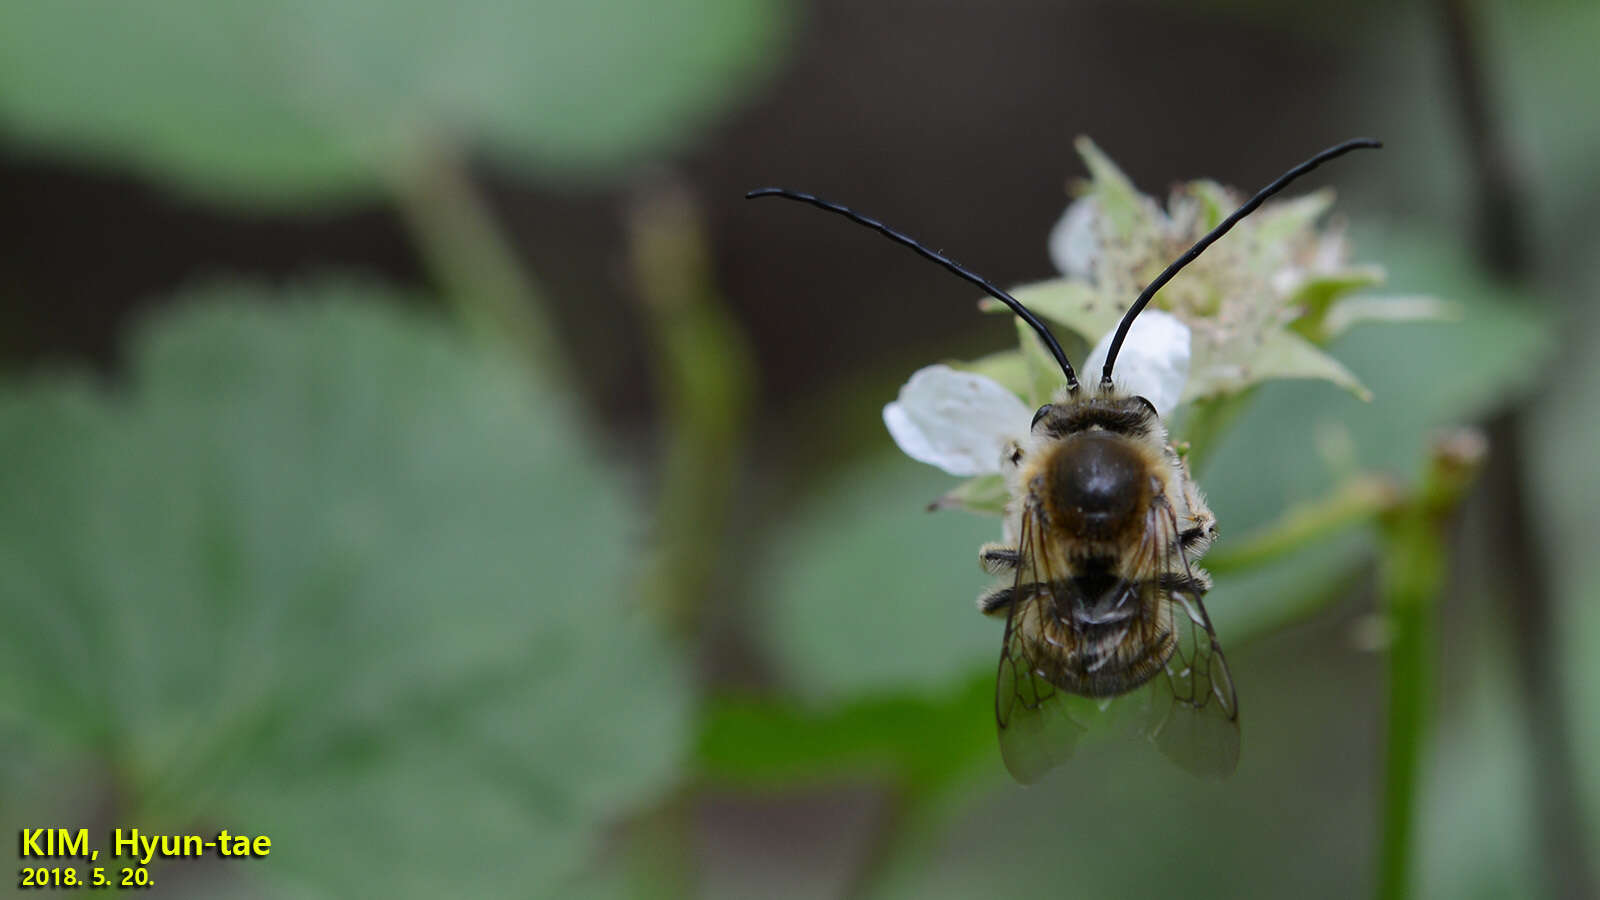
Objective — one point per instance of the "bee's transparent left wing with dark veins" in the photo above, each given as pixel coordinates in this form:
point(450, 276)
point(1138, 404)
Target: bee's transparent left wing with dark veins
point(1038, 723)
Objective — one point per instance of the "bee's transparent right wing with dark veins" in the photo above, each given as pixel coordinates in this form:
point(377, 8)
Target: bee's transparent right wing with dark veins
point(1193, 710)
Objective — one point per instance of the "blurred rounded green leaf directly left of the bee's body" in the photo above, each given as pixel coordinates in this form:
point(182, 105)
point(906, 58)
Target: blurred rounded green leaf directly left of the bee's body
point(873, 595)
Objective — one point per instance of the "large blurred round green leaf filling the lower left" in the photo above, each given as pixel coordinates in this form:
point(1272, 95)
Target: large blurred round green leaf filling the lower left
point(314, 576)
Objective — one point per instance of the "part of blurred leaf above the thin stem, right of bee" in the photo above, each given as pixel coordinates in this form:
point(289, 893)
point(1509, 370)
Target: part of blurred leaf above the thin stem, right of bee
point(1298, 440)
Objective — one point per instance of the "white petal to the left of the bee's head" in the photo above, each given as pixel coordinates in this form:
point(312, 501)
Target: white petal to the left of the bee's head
point(956, 420)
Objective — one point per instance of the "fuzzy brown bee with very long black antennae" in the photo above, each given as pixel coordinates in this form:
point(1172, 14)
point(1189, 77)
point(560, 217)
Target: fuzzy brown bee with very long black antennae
point(1103, 593)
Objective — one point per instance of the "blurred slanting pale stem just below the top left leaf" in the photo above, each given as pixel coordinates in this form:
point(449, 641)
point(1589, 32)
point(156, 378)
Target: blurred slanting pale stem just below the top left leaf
point(471, 262)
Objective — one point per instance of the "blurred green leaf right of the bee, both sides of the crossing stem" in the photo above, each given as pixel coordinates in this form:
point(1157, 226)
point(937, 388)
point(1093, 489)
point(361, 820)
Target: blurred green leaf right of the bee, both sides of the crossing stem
point(1298, 441)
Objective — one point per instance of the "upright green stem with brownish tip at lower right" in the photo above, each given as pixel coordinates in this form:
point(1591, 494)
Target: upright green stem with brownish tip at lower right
point(1412, 576)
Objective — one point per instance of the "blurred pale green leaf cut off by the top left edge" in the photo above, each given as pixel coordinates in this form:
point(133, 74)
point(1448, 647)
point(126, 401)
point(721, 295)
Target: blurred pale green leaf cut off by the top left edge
point(316, 98)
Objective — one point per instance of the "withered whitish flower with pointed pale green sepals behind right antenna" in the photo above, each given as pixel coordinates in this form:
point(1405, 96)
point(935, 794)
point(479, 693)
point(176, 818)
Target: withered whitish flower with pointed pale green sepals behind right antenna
point(1262, 303)
